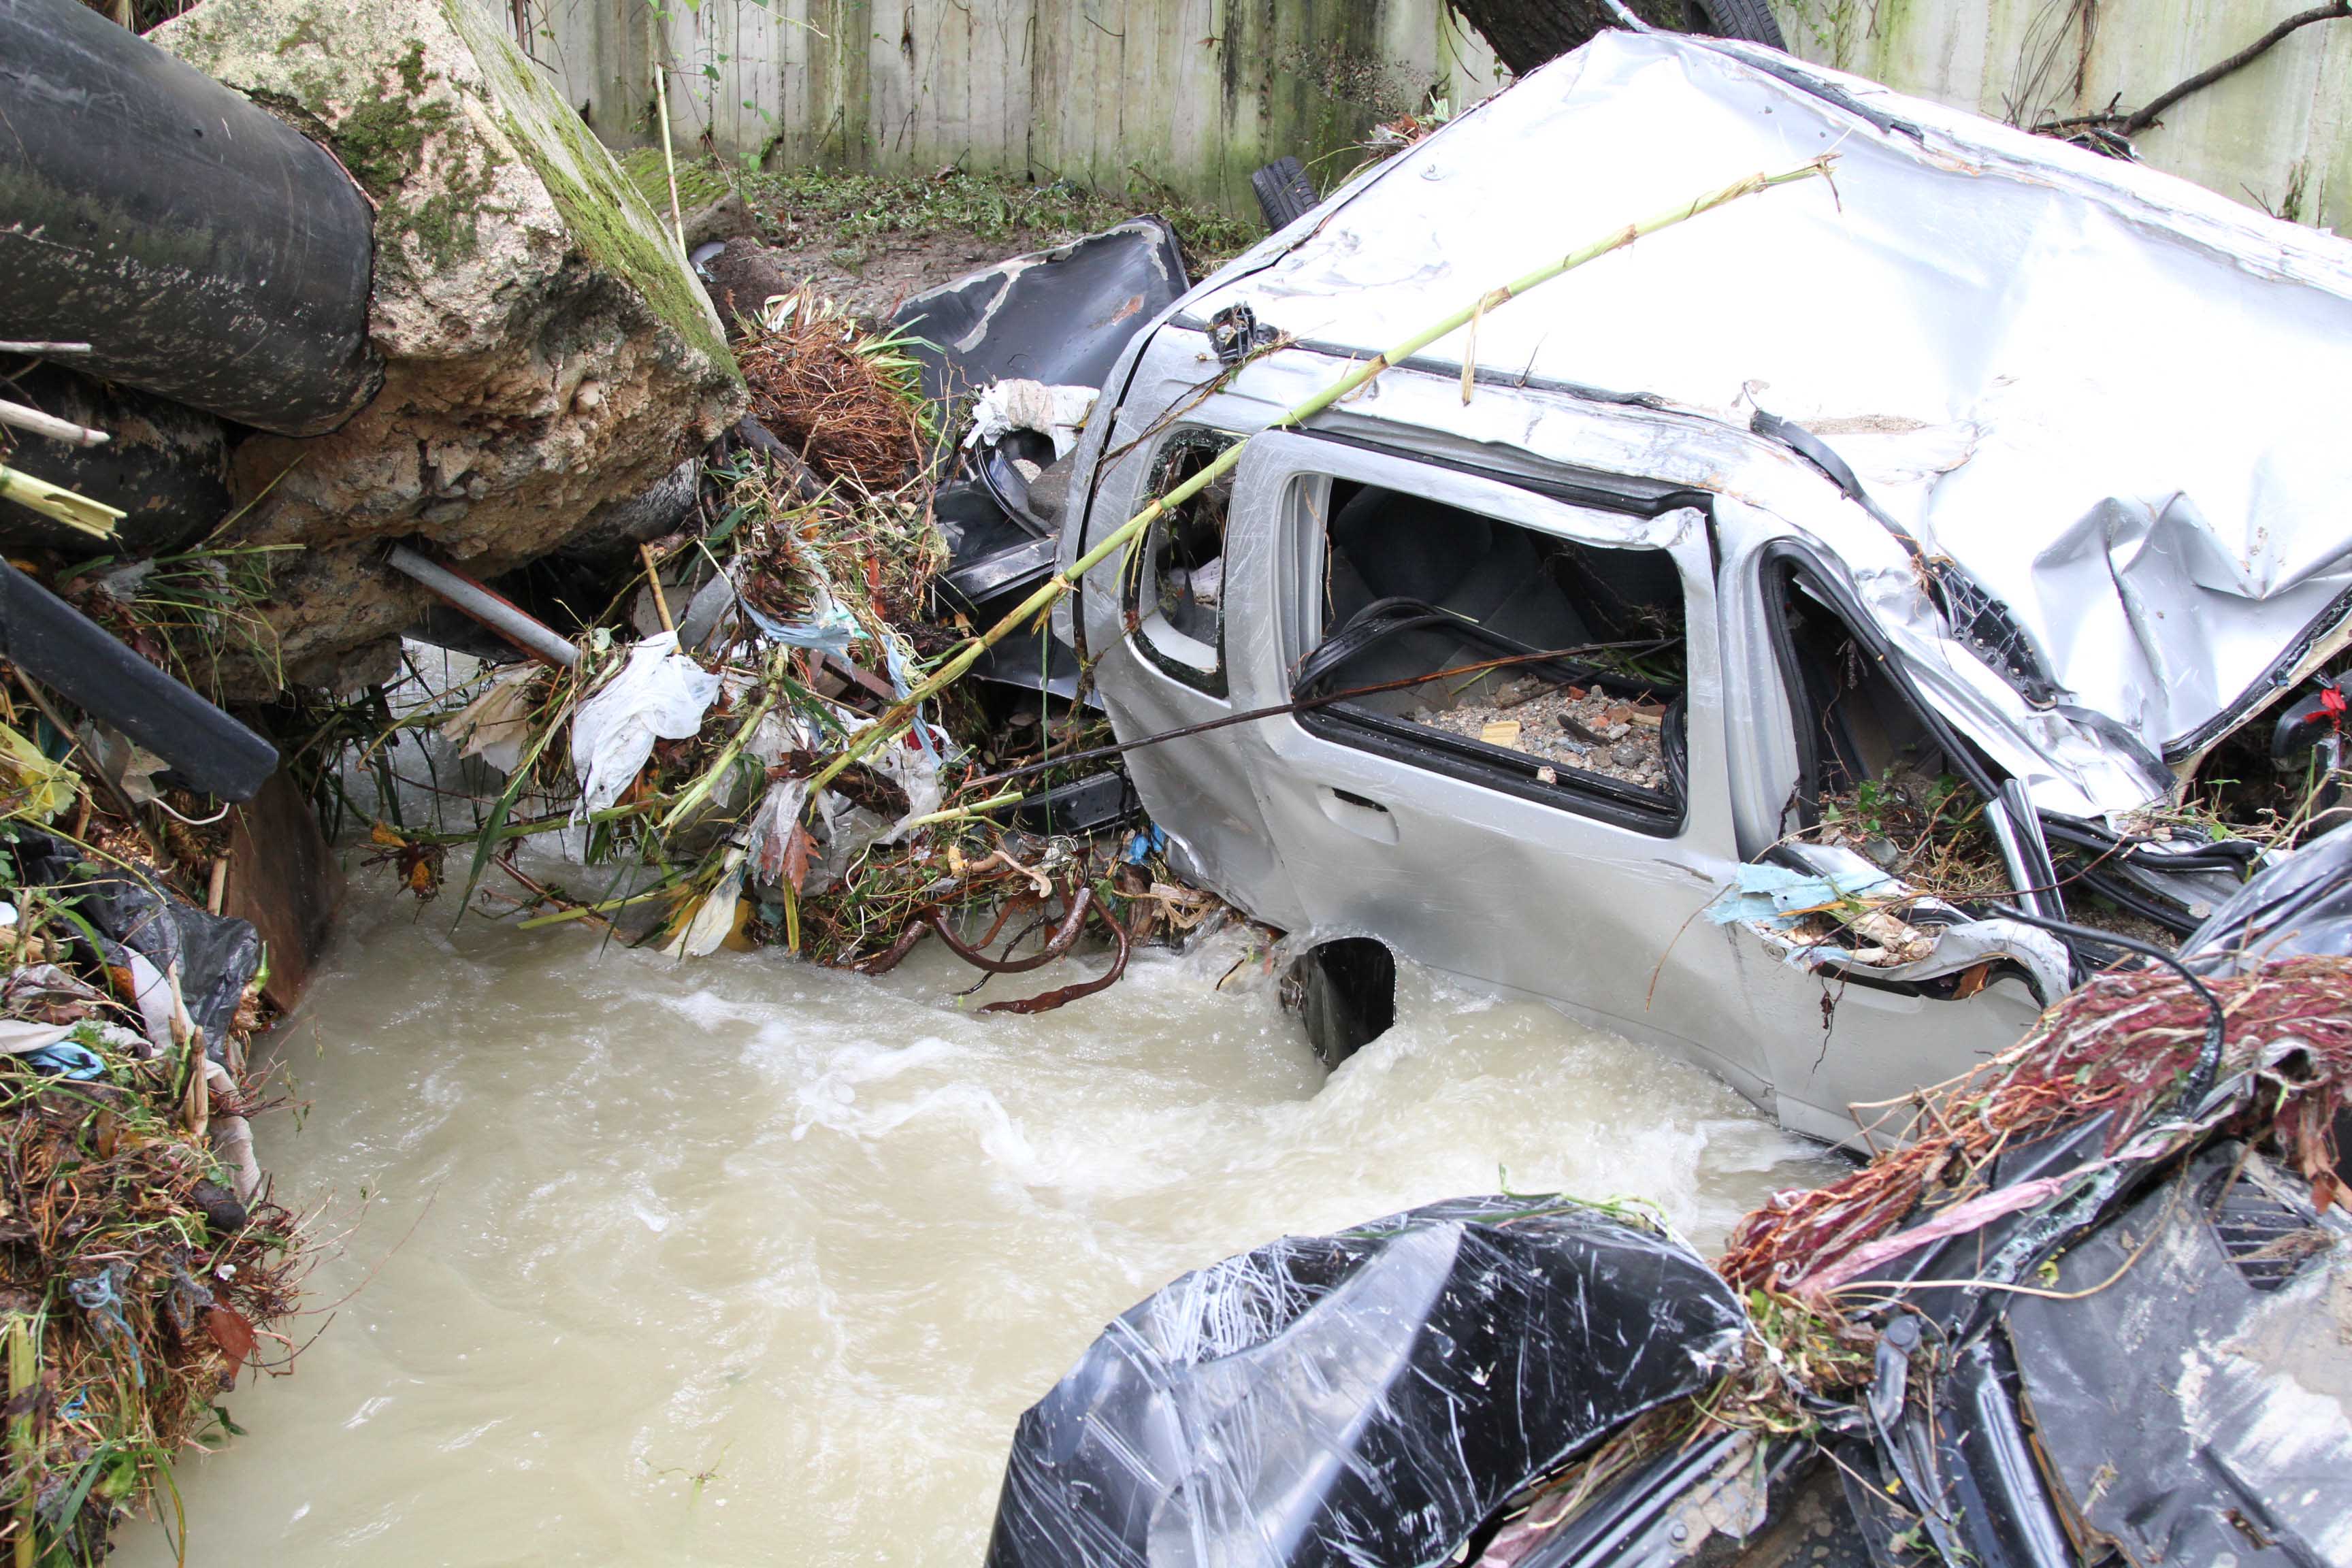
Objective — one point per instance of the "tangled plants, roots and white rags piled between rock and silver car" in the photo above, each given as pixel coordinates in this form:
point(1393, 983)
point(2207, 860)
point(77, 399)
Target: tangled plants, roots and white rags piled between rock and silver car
point(690, 730)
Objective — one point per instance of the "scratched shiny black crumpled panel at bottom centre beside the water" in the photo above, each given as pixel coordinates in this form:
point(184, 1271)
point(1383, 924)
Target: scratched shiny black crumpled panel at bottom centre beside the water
point(1365, 1398)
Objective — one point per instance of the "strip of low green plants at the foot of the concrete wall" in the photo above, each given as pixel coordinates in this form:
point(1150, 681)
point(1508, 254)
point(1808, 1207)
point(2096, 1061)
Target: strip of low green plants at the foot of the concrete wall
point(869, 210)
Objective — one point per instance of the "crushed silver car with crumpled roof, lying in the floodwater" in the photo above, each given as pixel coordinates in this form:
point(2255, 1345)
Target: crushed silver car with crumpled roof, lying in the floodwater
point(1746, 641)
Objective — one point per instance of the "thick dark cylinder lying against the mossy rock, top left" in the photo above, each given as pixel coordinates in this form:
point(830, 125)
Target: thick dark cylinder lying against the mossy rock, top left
point(201, 248)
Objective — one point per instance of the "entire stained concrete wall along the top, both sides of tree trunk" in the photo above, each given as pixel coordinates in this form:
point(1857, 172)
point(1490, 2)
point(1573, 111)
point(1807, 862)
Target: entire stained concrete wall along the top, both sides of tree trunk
point(1194, 95)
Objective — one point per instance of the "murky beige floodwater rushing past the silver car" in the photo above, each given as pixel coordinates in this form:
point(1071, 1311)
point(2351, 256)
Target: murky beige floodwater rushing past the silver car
point(756, 1264)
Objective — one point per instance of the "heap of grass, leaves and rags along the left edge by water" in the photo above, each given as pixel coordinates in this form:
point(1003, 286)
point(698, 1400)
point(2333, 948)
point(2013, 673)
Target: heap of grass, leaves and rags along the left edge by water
point(142, 1257)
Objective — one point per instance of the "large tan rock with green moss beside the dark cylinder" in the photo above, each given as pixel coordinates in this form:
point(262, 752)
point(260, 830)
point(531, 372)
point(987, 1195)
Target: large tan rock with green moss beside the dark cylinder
point(549, 354)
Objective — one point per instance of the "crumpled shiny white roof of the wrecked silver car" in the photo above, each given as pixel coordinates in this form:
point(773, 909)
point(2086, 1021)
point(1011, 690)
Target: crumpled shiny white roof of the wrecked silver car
point(2106, 394)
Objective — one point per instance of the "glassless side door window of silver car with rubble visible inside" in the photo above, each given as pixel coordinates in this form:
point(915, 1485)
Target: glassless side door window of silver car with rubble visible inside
point(1415, 587)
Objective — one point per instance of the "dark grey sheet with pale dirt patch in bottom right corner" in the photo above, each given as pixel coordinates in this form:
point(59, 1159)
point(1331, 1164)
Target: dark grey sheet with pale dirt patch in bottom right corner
point(2198, 1407)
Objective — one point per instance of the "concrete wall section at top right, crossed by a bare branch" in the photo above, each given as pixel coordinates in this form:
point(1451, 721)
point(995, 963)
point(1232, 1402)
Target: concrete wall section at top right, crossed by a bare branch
point(2278, 133)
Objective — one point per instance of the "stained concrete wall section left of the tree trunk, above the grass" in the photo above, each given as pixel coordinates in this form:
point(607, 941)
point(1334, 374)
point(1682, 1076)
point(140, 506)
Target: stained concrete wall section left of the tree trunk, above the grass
point(1189, 95)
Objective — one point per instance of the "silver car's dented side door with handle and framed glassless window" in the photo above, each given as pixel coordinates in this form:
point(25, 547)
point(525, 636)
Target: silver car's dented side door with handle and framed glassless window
point(1521, 862)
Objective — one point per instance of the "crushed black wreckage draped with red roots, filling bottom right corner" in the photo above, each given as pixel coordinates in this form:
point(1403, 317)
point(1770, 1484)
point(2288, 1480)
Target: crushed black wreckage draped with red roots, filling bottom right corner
point(2085, 1306)
